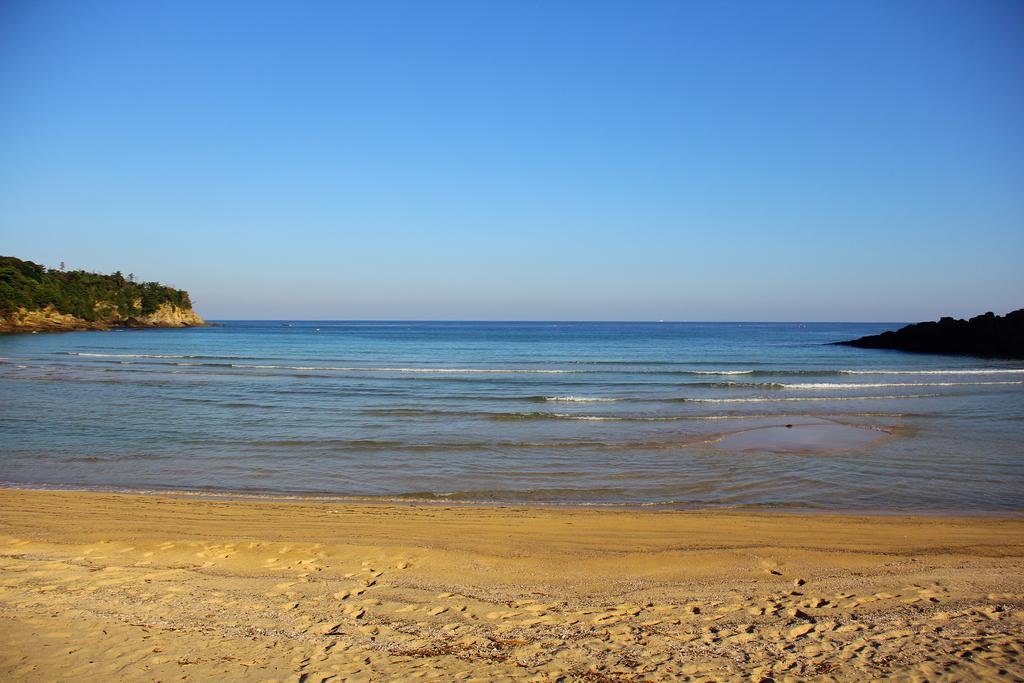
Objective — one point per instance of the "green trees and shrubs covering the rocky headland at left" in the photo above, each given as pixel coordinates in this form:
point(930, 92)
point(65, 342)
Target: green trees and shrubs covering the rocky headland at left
point(87, 295)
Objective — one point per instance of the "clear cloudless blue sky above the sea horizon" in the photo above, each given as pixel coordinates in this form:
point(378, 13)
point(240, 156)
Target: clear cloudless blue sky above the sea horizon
point(524, 160)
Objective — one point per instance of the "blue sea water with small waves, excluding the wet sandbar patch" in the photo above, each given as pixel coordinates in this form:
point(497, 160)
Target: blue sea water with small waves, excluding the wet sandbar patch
point(595, 413)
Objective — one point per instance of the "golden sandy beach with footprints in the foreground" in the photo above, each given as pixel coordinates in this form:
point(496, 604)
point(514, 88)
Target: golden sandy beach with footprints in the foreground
point(117, 587)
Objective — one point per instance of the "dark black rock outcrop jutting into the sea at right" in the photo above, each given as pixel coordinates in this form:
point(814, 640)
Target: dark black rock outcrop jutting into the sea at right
point(988, 335)
